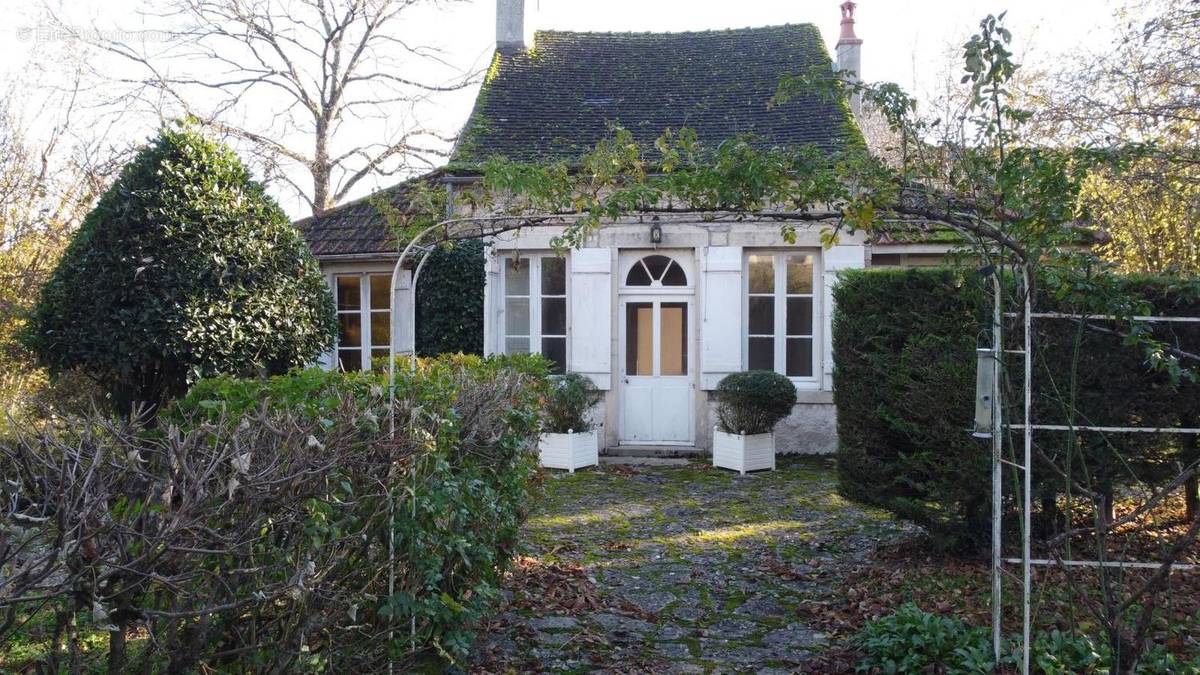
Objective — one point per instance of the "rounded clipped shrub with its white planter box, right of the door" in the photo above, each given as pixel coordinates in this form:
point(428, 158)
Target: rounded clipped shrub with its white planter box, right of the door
point(749, 405)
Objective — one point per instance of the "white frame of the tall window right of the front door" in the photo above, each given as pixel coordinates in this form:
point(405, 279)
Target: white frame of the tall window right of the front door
point(781, 296)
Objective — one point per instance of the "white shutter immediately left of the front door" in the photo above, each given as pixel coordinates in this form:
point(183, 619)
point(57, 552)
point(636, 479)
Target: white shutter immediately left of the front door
point(590, 334)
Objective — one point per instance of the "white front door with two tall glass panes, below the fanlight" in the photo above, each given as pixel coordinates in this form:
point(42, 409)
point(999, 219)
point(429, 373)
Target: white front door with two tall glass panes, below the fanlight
point(657, 366)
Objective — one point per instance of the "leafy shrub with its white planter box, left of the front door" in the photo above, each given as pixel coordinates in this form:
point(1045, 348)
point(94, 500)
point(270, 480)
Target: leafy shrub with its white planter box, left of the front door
point(569, 440)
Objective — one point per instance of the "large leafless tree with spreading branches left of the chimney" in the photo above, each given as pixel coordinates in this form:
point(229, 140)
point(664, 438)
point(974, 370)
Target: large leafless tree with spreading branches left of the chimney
point(332, 88)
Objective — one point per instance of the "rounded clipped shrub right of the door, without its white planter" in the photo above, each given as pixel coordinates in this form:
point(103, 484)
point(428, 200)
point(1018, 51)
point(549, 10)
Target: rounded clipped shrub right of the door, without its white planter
point(753, 402)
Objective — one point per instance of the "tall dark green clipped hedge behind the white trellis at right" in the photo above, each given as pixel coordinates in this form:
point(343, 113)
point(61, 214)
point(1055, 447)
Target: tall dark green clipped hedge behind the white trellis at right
point(904, 385)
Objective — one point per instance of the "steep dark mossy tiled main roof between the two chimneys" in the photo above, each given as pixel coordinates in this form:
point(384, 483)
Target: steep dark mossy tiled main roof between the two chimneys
point(559, 99)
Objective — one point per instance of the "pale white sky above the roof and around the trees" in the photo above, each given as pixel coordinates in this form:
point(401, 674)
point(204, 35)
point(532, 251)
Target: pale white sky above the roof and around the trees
point(908, 43)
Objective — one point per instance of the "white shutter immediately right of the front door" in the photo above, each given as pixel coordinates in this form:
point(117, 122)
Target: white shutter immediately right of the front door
point(721, 333)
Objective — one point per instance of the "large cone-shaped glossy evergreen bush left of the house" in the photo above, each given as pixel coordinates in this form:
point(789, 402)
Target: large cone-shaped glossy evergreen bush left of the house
point(184, 270)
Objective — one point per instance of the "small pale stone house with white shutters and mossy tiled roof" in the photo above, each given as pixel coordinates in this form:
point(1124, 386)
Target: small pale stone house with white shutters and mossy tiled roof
point(655, 313)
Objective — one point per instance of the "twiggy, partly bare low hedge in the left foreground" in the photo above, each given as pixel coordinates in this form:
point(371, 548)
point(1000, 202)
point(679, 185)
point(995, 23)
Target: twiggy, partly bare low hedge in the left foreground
point(272, 525)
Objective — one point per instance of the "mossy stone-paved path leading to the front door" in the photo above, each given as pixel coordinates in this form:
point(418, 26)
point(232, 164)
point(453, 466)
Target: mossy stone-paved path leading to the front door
point(677, 570)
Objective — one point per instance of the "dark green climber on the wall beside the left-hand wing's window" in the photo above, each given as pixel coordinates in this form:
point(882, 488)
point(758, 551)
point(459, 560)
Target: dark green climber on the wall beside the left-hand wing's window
point(451, 301)
